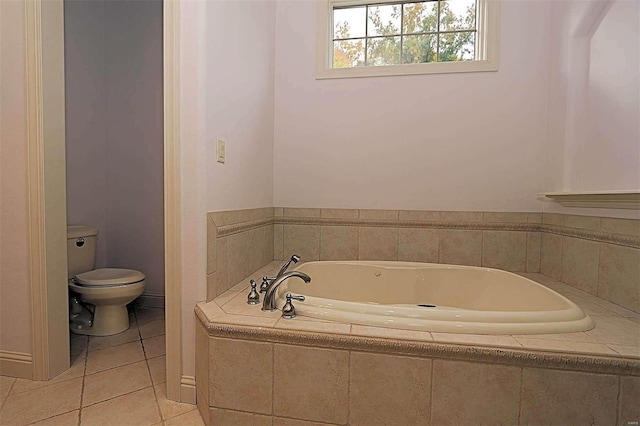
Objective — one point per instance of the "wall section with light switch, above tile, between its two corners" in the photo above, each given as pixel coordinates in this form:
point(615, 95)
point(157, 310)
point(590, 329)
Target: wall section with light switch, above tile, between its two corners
point(239, 100)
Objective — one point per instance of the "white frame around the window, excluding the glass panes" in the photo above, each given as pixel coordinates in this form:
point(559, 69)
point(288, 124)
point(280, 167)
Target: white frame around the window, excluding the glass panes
point(487, 45)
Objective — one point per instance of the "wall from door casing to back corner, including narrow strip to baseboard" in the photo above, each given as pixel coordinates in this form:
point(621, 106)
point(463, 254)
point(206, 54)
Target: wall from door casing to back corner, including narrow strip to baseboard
point(226, 83)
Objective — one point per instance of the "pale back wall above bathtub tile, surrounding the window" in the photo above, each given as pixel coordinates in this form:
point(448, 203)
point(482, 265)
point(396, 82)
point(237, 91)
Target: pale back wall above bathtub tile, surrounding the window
point(471, 141)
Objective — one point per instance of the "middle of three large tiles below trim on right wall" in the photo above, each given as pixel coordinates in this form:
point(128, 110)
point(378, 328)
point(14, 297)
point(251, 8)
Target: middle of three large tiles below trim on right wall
point(580, 264)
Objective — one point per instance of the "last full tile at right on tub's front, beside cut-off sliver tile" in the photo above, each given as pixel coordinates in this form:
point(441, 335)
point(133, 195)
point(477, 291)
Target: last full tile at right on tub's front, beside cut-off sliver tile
point(568, 397)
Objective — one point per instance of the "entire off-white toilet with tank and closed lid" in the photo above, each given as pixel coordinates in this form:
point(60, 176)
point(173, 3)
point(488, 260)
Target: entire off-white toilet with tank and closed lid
point(109, 290)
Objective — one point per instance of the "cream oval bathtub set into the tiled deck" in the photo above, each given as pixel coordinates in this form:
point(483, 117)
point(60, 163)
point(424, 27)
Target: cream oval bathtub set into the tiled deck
point(432, 297)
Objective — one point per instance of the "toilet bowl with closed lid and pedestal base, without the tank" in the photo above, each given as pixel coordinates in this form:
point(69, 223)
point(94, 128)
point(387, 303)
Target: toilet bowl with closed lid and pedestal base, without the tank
point(109, 290)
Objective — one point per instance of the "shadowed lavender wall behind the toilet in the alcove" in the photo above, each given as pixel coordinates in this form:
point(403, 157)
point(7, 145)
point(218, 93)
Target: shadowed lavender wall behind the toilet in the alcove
point(114, 130)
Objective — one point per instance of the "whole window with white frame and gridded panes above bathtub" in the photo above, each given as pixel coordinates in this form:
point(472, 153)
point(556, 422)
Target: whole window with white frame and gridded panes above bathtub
point(382, 37)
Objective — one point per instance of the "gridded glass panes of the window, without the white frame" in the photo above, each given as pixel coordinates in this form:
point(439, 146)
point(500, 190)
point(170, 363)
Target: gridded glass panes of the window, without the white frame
point(403, 33)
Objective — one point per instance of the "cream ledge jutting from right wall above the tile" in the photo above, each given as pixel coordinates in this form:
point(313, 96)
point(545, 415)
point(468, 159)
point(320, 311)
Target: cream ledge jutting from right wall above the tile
point(624, 199)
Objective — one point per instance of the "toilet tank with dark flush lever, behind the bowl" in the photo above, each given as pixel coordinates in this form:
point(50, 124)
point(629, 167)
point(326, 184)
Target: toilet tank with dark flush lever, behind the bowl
point(81, 249)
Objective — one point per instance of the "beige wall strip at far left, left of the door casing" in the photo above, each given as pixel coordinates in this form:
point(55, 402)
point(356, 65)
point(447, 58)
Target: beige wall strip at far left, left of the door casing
point(15, 314)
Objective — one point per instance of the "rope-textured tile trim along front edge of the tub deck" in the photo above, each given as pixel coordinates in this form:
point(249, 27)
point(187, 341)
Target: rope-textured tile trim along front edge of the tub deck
point(461, 352)
